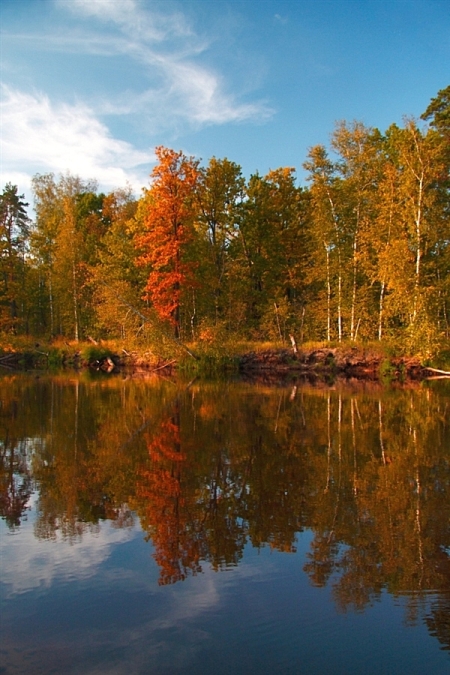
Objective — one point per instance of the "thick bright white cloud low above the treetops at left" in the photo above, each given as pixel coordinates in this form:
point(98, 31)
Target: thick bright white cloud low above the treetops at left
point(59, 137)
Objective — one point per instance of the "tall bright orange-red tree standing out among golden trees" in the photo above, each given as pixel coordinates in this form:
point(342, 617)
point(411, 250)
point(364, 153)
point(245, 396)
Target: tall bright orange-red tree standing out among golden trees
point(168, 215)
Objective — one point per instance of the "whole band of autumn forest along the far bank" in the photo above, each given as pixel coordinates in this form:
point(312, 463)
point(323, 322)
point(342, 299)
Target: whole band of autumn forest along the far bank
point(360, 253)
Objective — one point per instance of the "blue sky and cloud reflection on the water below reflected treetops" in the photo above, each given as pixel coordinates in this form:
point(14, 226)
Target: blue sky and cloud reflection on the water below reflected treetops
point(94, 607)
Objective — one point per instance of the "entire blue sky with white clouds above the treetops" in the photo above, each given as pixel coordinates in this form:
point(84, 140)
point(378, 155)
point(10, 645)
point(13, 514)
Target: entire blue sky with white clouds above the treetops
point(92, 86)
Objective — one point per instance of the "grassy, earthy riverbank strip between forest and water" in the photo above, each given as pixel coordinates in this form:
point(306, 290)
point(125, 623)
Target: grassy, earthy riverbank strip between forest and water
point(319, 362)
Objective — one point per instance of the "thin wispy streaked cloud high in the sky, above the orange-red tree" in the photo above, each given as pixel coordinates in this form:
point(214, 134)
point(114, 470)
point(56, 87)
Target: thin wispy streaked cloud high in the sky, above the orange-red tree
point(168, 49)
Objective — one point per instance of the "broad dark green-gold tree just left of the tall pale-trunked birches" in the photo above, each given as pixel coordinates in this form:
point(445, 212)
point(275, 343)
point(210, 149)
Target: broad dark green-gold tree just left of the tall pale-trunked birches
point(269, 252)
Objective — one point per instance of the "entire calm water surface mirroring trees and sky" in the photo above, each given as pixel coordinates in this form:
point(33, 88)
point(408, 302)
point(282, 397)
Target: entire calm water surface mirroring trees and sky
point(156, 526)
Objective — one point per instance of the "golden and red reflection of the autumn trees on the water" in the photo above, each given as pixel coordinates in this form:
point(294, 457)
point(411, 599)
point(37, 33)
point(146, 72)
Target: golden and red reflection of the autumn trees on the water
point(211, 468)
